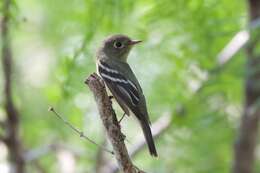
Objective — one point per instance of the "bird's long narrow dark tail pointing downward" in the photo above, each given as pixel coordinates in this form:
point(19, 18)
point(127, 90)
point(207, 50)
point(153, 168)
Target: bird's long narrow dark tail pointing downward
point(149, 138)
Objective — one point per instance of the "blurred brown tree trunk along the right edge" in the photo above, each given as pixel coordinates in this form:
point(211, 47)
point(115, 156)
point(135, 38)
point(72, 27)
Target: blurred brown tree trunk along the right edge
point(245, 146)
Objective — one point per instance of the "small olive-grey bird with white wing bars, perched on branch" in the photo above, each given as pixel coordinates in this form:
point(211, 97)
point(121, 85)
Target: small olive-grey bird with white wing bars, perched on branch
point(119, 78)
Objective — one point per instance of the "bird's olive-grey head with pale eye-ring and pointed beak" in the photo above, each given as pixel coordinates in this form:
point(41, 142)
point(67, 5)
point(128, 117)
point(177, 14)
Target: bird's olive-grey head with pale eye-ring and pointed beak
point(117, 47)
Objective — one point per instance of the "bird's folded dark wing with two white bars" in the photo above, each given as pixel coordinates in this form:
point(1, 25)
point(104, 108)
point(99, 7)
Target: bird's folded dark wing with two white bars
point(119, 85)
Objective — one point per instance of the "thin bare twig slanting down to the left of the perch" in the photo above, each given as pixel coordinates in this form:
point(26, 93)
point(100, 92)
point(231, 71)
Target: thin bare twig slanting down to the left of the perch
point(81, 134)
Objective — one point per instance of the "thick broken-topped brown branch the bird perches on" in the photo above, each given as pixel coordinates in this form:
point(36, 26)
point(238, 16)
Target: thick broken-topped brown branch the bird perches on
point(111, 125)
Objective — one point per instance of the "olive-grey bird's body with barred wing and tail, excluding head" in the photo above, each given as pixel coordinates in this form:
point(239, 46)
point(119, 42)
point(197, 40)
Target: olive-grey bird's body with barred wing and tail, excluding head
point(128, 94)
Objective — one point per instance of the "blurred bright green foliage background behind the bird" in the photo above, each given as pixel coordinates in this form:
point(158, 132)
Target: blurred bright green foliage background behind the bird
point(54, 45)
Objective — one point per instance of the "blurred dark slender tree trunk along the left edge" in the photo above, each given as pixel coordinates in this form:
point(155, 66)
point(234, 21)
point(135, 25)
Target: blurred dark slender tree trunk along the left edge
point(13, 141)
